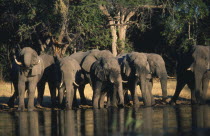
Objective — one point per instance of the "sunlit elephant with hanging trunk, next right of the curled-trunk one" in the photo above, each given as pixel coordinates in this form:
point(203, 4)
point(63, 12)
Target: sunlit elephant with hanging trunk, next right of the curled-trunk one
point(71, 78)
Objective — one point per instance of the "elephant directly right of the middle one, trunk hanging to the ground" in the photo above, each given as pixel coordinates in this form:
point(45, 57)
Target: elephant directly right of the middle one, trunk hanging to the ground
point(135, 69)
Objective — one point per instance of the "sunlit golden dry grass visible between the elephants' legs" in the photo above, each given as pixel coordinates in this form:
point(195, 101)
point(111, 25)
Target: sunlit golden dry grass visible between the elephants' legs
point(5, 91)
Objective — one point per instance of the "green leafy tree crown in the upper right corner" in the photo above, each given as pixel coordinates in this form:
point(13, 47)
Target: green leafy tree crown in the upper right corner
point(181, 26)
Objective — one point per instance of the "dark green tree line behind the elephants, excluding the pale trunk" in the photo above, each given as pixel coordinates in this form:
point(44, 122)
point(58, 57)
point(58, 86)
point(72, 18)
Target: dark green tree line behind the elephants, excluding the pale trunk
point(167, 31)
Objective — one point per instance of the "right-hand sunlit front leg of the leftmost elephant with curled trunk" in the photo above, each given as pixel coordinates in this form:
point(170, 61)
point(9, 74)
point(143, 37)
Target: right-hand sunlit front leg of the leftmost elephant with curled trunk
point(32, 88)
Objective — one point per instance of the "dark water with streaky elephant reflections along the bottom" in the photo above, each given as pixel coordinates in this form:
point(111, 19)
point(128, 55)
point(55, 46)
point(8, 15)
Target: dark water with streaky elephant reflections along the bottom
point(181, 120)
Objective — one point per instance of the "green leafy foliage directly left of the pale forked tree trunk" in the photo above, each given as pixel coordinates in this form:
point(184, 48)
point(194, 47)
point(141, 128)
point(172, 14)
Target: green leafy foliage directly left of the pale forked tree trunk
point(87, 21)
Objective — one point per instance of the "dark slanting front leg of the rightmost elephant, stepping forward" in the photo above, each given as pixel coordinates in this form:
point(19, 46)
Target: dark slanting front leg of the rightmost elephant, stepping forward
point(179, 86)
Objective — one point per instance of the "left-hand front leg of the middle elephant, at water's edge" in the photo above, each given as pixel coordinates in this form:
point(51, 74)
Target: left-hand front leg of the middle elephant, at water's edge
point(96, 94)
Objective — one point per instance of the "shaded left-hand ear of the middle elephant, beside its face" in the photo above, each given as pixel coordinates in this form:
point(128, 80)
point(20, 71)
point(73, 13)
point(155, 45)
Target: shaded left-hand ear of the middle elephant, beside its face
point(99, 70)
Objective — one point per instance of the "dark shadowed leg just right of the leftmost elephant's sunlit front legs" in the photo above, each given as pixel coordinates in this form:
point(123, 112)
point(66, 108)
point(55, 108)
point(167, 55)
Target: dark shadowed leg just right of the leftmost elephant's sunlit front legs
point(40, 88)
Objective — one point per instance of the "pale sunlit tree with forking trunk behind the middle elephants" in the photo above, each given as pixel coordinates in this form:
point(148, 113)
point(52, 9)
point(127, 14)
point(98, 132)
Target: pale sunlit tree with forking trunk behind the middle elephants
point(119, 14)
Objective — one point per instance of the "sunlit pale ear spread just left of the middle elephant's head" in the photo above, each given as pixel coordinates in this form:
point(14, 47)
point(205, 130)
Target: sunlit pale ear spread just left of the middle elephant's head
point(87, 63)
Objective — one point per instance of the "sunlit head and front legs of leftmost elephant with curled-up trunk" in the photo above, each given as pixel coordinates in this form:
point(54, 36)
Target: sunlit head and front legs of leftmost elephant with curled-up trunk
point(29, 74)
